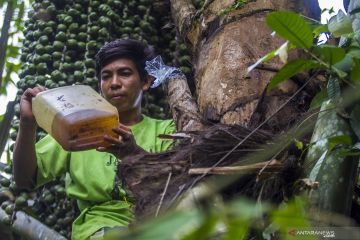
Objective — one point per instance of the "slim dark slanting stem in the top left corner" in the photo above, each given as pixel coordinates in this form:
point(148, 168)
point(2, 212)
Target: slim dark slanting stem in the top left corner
point(5, 36)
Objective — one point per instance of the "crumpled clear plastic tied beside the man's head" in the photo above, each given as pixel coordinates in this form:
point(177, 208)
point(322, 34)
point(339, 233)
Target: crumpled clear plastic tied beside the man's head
point(161, 72)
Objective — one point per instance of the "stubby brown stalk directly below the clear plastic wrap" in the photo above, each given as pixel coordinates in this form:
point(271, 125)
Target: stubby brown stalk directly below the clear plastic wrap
point(183, 107)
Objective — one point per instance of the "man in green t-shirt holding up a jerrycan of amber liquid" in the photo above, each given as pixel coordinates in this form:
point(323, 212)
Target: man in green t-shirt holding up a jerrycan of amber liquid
point(91, 175)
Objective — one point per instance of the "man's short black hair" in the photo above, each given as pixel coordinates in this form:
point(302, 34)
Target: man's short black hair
point(124, 48)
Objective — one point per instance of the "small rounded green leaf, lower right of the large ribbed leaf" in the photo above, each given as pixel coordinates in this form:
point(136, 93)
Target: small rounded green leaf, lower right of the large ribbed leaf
point(329, 53)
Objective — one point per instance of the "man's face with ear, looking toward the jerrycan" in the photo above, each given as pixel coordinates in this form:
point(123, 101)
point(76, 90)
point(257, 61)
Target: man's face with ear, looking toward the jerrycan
point(121, 84)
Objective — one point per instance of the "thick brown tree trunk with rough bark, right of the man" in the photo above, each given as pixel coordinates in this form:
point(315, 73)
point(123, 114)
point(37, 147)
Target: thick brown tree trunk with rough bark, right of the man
point(224, 47)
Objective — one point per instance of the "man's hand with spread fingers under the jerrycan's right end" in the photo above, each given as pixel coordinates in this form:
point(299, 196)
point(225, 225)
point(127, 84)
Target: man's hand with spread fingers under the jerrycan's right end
point(122, 146)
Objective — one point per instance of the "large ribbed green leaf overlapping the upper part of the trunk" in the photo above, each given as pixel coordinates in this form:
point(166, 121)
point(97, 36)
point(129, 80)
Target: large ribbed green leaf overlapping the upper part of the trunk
point(292, 27)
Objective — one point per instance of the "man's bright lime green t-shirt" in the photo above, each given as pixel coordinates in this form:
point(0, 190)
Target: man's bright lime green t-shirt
point(91, 174)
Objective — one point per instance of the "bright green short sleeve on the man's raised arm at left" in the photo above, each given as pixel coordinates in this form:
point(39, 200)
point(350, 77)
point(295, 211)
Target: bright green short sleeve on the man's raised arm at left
point(52, 160)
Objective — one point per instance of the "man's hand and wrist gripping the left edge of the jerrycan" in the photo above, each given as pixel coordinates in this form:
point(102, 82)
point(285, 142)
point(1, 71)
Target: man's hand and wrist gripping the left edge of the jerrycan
point(26, 115)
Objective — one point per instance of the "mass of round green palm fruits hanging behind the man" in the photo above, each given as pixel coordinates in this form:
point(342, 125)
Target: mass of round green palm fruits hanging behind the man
point(61, 40)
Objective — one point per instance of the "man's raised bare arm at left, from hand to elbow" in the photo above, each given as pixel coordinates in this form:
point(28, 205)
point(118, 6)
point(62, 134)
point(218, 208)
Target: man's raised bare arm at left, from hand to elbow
point(24, 159)
